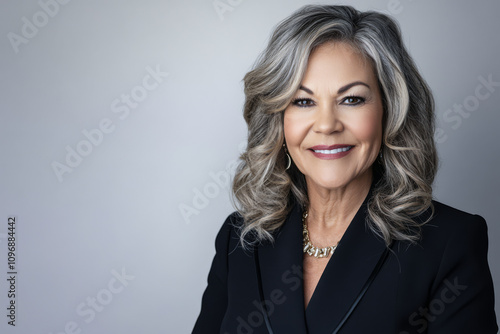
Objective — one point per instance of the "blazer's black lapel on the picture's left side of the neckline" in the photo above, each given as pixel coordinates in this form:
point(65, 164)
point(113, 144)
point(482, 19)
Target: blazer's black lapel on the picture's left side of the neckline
point(281, 273)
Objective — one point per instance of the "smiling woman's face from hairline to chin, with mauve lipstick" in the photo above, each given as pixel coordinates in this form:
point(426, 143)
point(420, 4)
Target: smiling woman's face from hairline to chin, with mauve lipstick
point(333, 127)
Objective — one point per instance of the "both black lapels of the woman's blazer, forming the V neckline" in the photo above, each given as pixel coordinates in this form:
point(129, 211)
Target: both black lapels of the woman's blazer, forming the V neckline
point(344, 276)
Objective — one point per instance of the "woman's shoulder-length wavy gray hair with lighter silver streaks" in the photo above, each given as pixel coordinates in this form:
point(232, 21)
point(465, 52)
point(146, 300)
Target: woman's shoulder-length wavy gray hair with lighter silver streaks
point(264, 191)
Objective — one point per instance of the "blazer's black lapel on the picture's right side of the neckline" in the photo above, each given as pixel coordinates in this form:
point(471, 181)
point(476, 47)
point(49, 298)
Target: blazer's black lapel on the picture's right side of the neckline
point(347, 271)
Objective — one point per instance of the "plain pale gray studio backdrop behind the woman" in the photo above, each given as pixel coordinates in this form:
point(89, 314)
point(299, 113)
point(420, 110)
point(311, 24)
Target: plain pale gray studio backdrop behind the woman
point(120, 209)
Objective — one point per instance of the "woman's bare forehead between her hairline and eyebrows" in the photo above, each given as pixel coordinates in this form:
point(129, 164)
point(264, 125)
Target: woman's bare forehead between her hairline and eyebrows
point(337, 63)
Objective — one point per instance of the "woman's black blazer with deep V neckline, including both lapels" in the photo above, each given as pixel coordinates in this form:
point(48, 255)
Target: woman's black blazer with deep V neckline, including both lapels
point(440, 285)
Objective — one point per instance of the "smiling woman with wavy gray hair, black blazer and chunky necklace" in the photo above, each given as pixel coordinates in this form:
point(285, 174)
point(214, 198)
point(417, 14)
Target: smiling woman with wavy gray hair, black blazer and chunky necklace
point(336, 229)
